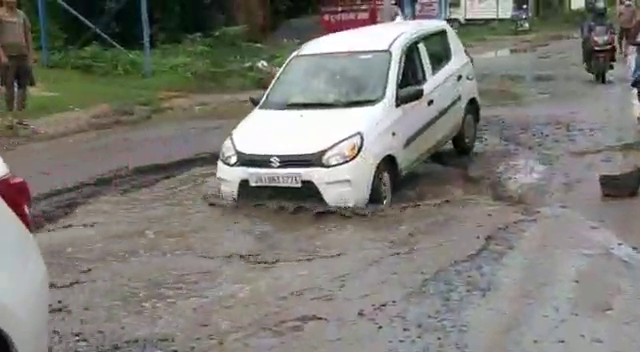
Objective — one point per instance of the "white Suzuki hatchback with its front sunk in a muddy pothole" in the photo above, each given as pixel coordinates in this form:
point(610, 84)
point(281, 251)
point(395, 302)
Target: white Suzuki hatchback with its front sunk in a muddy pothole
point(351, 112)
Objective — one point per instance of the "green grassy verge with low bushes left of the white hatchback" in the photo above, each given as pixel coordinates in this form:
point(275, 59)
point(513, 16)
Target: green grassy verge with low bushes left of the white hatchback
point(222, 62)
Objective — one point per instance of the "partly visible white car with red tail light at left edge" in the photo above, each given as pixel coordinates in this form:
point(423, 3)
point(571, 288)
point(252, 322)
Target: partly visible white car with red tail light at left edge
point(24, 282)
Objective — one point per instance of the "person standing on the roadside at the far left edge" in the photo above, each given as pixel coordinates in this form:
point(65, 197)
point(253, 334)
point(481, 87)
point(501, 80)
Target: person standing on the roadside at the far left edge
point(16, 55)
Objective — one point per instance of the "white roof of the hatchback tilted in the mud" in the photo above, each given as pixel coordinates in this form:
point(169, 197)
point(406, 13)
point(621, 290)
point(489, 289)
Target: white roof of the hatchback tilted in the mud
point(368, 38)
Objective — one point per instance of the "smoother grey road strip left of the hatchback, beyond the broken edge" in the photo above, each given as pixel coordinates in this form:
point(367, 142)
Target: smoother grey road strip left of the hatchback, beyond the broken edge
point(62, 163)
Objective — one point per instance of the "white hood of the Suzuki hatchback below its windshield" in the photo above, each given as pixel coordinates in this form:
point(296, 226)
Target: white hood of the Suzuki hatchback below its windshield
point(283, 132)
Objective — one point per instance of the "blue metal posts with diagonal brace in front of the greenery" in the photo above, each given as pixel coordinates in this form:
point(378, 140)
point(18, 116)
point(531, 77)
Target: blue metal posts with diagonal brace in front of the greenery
point(144, 18)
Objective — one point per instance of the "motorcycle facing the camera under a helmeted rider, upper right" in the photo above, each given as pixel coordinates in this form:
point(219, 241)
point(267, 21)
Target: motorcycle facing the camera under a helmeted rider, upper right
point(603, 44)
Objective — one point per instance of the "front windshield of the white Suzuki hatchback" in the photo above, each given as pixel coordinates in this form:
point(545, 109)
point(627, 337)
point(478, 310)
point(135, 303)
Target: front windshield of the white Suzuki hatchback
point(330, 81)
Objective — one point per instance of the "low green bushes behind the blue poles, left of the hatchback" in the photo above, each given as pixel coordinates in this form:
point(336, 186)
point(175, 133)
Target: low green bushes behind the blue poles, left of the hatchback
point(223, 56)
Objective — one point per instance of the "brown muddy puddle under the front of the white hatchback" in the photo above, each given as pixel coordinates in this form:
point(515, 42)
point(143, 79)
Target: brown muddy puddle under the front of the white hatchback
point(445, 178)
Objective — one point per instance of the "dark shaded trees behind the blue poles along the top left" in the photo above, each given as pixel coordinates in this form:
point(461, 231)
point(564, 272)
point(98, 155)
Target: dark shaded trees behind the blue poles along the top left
point(171, 20)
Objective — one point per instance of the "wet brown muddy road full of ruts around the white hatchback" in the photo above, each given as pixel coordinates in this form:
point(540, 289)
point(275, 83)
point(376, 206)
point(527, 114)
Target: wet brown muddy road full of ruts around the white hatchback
point(512, 250)
